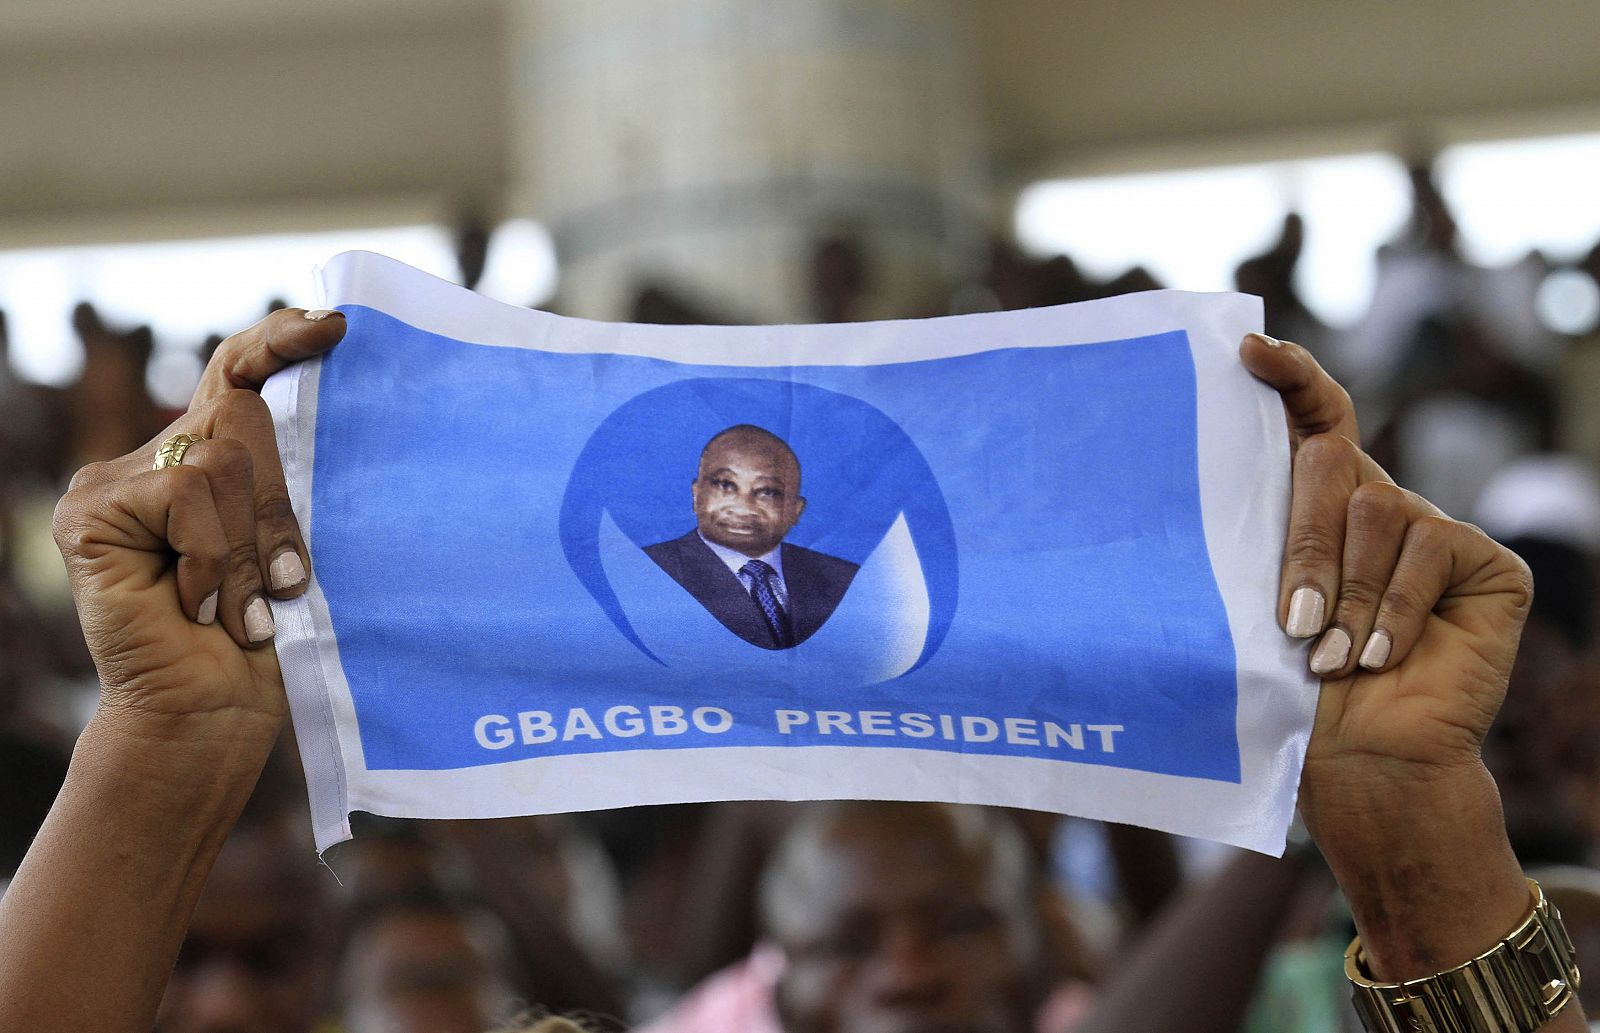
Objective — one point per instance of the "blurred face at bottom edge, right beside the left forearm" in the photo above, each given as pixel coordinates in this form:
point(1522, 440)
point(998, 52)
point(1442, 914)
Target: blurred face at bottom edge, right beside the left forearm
point(258, 949)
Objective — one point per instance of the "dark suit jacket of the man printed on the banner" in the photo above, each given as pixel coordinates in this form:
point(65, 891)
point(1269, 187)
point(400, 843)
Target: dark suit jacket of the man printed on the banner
point(815, 581)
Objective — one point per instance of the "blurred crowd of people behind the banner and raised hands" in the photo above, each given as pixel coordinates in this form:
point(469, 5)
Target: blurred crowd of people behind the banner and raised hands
point(1465, 396)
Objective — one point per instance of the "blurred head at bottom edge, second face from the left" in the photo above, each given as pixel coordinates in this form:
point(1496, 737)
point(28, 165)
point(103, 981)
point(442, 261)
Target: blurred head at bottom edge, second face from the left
point(428, 971)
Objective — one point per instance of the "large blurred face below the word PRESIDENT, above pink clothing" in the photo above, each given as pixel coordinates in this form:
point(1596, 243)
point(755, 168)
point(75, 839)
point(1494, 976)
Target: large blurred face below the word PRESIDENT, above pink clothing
point(890, 923)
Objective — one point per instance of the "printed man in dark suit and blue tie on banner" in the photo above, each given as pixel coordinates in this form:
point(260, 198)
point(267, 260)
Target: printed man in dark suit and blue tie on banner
point(735, 562)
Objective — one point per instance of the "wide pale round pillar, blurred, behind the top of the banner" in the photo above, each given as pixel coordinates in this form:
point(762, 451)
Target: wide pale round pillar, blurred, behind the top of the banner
point(711, 143)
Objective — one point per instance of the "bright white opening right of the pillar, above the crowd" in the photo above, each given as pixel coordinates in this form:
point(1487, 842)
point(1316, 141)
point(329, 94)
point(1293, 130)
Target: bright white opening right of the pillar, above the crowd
point(1193, 228)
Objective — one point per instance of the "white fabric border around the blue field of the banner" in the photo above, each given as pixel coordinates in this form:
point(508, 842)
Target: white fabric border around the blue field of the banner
point(1244, 492)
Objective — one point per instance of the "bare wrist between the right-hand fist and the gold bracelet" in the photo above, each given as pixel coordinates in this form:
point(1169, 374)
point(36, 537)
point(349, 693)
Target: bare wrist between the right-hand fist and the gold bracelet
point(1423, 860)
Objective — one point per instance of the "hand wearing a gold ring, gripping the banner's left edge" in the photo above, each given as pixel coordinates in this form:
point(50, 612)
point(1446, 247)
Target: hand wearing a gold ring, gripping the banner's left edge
point(170, 568)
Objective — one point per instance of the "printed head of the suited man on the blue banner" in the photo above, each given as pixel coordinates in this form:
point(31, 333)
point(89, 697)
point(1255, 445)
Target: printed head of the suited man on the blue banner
point(748, 492)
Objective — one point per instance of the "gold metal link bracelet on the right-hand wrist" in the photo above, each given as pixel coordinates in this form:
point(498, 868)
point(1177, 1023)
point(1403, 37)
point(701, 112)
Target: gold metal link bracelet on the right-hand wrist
point(1514, 987)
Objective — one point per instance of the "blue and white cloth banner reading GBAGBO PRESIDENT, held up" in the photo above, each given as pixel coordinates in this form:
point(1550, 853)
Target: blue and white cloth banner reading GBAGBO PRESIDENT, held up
point(1022, 559)
